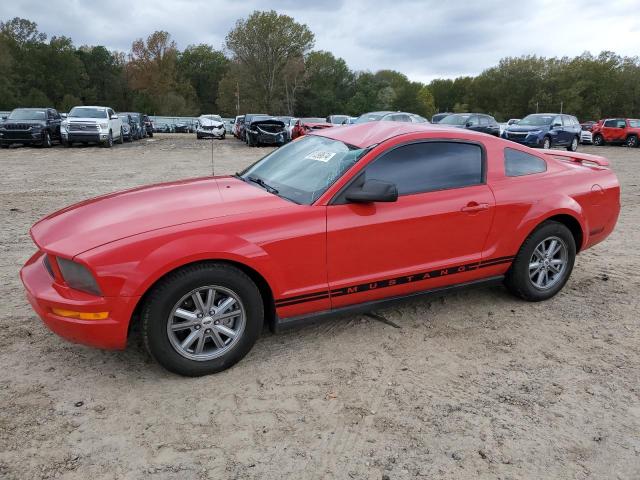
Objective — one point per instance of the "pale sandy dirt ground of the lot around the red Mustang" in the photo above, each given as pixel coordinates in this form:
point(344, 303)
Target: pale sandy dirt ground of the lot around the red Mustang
point(473, 385)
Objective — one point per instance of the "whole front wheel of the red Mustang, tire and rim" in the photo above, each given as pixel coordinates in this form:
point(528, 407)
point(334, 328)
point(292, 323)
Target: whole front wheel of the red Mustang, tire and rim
point(202, 319)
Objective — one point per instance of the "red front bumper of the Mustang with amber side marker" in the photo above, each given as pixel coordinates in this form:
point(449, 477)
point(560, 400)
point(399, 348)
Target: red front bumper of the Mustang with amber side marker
point(44, 295)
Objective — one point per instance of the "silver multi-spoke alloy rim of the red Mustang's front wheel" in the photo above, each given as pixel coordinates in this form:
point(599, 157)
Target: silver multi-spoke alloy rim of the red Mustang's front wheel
point(206, 323)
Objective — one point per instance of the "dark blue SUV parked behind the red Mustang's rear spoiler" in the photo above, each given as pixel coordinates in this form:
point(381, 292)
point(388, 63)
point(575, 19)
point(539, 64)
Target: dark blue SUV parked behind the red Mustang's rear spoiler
point(546, 130)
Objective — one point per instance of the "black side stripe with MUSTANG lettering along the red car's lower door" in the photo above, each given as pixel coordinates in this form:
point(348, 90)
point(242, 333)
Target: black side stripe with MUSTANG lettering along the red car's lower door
point(416, 277)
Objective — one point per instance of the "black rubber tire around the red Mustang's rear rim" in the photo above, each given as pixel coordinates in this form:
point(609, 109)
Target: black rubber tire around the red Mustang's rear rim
point(518, 280)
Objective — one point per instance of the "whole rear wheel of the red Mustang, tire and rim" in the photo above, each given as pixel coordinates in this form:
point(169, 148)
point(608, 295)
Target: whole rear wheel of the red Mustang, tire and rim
point(543, 264)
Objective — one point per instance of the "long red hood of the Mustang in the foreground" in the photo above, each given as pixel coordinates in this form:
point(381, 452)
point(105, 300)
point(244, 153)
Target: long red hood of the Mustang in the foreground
point(89, 224)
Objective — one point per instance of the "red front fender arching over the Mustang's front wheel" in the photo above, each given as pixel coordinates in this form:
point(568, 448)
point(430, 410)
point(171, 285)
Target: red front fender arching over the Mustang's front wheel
point(129, 267)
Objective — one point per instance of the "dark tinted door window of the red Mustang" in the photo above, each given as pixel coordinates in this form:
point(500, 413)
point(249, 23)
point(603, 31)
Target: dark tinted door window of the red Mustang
point(428, 166)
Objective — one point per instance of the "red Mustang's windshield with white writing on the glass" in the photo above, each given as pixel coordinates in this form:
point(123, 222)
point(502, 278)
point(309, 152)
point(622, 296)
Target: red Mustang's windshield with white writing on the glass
point(303, 170)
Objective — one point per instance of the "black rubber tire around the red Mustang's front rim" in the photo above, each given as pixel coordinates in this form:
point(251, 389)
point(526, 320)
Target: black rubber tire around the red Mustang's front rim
point(163, 298)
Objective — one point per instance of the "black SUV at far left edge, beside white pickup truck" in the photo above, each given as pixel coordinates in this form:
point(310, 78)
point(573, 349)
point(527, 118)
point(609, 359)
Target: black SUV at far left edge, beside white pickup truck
point(31, 126)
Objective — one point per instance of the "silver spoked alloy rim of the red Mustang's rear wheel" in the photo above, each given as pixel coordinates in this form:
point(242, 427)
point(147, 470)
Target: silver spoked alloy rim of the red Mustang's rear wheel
point(548, 263)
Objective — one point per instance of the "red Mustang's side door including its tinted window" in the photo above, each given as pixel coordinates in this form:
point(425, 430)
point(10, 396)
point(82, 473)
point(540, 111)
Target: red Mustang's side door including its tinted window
point(430, 237)
